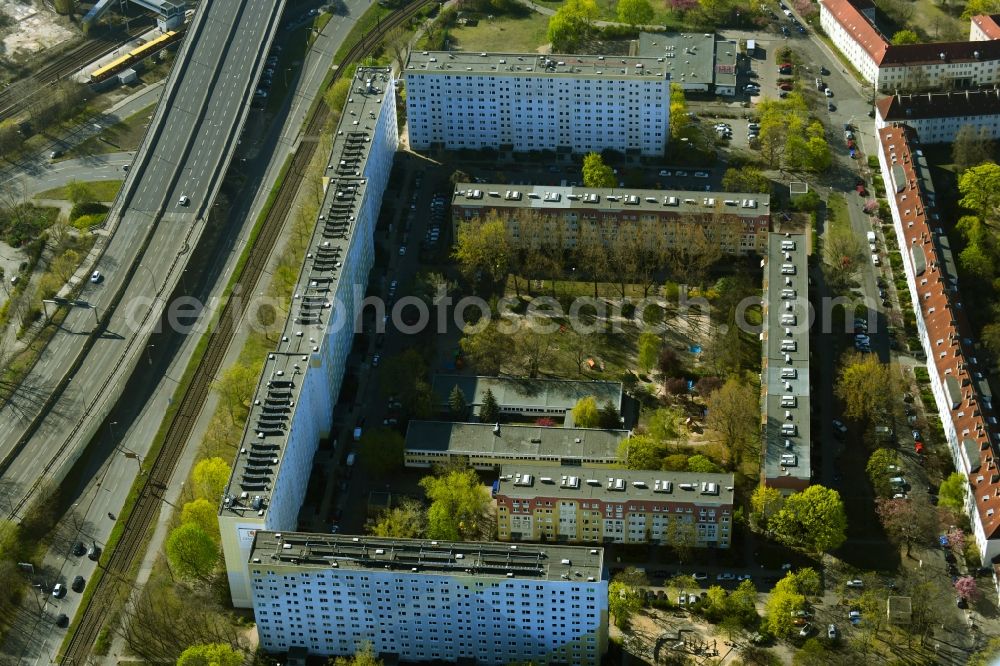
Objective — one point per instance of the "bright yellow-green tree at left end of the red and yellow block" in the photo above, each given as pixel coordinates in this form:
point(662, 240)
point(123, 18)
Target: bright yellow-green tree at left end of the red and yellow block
point(459, 505)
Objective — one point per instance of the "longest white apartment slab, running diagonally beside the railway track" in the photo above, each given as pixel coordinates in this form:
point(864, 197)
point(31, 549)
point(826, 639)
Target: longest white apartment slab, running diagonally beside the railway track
point(293, 404)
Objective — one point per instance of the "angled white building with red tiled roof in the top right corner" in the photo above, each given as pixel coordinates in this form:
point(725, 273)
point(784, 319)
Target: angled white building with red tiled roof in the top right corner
point(851, 26)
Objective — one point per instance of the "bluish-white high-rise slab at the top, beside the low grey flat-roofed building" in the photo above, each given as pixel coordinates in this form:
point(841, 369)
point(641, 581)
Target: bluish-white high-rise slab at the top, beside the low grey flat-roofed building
point(531, 102)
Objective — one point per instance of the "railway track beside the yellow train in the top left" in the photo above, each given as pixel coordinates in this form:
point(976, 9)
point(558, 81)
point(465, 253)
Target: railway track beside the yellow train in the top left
point(18, 96)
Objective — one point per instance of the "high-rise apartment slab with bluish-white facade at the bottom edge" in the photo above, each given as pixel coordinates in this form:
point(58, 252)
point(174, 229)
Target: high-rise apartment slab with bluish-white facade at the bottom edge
point(419, 601)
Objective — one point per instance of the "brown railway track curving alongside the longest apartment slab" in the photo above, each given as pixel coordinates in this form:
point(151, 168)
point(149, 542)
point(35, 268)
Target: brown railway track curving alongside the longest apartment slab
point(107, 592)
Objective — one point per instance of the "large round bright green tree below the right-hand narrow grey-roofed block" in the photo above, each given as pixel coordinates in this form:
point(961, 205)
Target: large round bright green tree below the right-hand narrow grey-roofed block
point(812, 520)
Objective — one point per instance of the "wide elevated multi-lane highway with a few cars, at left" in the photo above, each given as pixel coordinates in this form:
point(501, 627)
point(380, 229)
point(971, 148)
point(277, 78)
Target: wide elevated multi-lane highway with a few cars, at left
point(185, 152)
